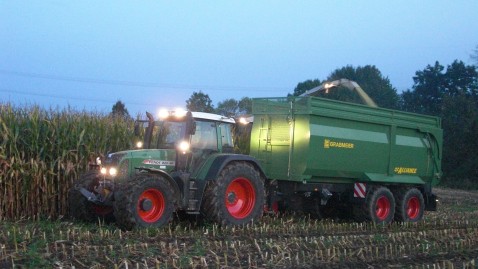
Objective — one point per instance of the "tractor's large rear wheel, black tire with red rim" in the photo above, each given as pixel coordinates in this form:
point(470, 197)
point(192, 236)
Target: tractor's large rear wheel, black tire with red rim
point(236, 197)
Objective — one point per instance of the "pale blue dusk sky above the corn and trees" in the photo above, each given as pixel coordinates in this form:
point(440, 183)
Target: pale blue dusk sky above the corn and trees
point(155, 54)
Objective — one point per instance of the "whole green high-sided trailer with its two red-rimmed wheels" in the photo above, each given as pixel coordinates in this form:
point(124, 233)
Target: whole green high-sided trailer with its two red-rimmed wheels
point(332, 156)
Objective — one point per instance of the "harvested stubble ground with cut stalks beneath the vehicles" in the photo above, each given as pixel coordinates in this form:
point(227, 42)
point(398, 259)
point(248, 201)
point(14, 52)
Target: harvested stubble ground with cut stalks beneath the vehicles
point(447, 238)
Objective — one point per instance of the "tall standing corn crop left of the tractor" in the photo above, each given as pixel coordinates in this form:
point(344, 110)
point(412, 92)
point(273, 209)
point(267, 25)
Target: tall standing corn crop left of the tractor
point(43, 151)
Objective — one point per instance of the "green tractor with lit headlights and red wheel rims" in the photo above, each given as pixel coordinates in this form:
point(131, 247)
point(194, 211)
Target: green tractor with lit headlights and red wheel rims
point(186, 164)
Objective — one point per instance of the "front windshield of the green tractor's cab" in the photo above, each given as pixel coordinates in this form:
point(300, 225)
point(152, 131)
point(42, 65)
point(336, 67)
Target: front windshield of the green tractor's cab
point(166, 134)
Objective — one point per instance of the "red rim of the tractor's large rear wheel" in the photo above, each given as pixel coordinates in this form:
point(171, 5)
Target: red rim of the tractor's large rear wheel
point(240, 198)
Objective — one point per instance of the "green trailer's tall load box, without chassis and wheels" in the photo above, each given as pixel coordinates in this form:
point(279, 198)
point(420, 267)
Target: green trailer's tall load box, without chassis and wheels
point(311, 139)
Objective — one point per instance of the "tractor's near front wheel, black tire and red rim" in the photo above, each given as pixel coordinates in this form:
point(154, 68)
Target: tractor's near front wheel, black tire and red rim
point(144, 201)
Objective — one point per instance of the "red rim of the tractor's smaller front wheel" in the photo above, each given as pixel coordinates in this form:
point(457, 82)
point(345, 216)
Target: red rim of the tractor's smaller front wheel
point(156, 206)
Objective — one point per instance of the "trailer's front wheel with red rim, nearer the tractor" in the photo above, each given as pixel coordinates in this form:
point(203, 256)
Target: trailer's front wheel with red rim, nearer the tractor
point(379, 206)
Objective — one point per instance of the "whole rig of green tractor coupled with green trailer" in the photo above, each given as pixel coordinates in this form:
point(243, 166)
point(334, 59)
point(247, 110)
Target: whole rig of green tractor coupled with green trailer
point(308, 154)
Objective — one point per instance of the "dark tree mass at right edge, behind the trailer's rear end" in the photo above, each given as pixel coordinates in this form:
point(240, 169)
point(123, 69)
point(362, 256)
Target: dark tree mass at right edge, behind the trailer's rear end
point(451, 94)
